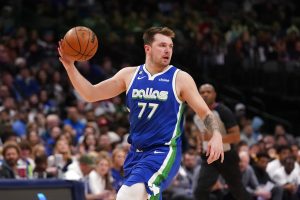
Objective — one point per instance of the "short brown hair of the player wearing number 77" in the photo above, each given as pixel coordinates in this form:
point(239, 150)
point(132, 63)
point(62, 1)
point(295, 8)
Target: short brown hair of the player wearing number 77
point(149, 34)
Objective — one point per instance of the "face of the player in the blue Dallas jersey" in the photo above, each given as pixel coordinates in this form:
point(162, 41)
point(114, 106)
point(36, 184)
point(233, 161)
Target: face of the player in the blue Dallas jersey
point(161, 50)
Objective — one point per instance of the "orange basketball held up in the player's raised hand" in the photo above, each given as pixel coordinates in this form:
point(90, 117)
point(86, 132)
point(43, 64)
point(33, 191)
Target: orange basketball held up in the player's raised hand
point(80, 43)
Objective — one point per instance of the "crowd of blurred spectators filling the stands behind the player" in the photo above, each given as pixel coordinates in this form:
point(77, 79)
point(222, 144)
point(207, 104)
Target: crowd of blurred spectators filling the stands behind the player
point(48, 131)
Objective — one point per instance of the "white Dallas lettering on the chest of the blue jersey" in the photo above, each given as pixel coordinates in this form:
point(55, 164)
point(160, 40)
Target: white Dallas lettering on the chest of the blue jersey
point(149, 94)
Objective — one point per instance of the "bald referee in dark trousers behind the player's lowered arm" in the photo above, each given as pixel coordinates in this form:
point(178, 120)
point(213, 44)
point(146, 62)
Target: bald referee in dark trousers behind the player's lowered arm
point(229, 170)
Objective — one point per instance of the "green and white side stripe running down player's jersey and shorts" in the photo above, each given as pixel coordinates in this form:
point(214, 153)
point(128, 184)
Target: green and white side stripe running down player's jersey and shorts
point(159, 176)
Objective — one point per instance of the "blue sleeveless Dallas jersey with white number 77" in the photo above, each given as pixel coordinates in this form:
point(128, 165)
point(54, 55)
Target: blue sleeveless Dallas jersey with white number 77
point(155, 110)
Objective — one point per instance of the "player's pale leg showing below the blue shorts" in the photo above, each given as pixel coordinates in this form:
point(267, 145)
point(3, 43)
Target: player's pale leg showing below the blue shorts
point(134, 192)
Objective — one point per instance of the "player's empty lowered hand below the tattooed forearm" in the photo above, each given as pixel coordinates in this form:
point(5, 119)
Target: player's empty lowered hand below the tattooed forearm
point(215, 148)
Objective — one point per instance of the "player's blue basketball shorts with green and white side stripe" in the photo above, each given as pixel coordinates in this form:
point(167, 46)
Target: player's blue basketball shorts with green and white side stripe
point(154, 167)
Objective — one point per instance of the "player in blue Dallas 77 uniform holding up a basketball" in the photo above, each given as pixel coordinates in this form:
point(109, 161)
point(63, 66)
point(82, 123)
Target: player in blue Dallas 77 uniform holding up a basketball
point(156, 92)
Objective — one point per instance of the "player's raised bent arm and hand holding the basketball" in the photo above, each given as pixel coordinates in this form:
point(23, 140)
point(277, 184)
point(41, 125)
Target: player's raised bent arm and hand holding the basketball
point(91, 93)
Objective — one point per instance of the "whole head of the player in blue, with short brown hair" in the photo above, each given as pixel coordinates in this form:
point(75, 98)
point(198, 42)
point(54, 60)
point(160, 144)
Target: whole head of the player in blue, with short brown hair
point(158, 45)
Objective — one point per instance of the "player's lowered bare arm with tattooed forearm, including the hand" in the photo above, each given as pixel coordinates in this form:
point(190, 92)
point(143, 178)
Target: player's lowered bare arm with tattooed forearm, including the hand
point(186, 87)
